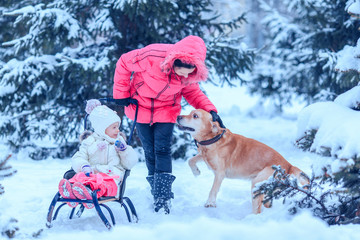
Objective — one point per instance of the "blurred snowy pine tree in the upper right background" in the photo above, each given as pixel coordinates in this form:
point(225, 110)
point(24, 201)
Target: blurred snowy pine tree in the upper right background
point(299, 56)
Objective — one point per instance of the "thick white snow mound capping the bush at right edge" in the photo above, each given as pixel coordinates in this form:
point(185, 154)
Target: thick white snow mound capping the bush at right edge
point(331, 128)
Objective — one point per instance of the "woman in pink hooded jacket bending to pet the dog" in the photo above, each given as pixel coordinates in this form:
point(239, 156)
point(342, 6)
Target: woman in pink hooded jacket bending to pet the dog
point(158, 76)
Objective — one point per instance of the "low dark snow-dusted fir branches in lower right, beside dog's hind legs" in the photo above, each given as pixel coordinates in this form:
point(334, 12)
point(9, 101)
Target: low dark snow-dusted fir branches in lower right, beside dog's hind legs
point(334, 200)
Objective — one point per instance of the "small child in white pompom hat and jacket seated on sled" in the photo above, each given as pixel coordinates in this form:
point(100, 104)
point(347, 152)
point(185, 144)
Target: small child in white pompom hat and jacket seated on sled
point(102, 158)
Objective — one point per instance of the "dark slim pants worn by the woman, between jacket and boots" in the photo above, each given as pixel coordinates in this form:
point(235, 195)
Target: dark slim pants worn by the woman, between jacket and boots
point(156, 141)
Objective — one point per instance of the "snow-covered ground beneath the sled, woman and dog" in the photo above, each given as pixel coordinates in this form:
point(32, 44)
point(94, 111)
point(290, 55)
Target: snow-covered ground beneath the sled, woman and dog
point(29, 192)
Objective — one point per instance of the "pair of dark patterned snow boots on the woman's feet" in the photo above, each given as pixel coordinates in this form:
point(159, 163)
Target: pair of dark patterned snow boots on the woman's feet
point(162, 191)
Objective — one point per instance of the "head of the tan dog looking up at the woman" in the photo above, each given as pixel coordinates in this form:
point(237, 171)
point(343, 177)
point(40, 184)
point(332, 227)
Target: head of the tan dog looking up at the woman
point(198, 123)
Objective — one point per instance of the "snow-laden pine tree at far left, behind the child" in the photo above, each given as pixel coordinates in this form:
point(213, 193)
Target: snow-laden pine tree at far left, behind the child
point(55, 64)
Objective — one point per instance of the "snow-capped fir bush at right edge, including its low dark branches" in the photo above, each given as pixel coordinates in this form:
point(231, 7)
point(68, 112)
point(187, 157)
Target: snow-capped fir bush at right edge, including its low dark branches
point(330, 129)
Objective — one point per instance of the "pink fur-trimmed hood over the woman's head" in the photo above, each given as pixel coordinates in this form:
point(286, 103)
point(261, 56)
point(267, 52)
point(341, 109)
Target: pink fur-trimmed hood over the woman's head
point(190, 50)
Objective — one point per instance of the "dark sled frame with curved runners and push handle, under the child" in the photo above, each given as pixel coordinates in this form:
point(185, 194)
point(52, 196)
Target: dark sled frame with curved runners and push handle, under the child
point(99, 203)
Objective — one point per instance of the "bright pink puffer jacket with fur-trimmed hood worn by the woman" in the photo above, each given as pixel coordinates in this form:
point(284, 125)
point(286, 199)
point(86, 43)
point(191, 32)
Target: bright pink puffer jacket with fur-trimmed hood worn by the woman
point(154, 83)
